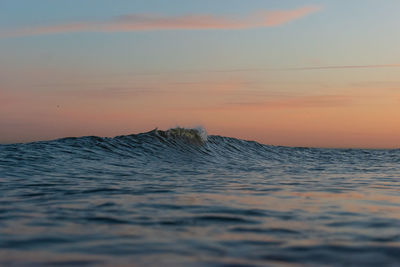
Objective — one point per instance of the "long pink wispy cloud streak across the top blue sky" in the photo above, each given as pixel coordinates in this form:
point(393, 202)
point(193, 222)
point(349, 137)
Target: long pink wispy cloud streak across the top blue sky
point(153, 22)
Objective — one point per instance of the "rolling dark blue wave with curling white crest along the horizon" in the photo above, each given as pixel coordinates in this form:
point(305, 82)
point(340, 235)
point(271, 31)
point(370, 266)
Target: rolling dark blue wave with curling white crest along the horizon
point(178, 146)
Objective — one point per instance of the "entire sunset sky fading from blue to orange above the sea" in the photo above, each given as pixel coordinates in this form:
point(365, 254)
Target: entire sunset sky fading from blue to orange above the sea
point(290, 72)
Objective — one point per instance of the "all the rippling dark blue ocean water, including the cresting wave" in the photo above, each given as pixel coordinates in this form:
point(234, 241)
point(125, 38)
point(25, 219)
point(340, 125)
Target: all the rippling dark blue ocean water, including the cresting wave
point(178, 199)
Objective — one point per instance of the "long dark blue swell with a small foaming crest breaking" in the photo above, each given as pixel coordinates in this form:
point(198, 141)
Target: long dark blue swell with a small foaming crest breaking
point(190, 144)
